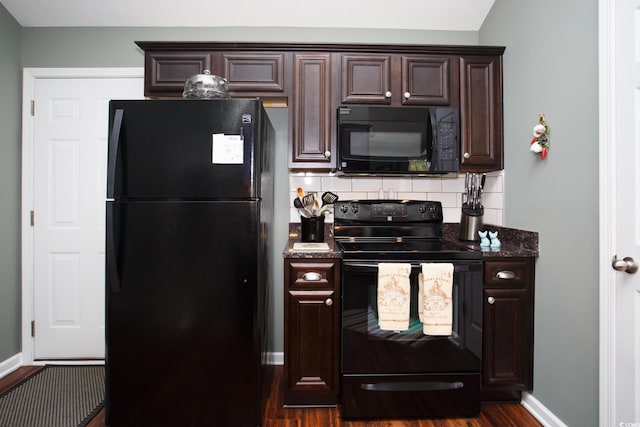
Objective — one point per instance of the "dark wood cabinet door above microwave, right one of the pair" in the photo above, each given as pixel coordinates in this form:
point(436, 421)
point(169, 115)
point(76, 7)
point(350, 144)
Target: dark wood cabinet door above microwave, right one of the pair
point(425, 80)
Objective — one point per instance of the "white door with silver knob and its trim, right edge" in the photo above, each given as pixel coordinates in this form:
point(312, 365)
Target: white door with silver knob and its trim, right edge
point(620, 212)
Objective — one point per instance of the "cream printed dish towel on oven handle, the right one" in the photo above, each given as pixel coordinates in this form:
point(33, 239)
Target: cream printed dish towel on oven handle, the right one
point(436, 299)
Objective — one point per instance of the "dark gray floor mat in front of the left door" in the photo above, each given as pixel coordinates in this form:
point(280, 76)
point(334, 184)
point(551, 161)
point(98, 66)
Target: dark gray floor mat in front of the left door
point(57, 396)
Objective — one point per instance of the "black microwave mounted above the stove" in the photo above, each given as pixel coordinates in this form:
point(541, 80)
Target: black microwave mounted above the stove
point(398, 140)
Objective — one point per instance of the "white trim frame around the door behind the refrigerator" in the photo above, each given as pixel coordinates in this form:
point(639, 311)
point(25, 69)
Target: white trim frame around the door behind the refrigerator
point(29, 77)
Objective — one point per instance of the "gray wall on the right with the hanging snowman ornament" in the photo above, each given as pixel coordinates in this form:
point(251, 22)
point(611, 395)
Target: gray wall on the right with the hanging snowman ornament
point(551, 67)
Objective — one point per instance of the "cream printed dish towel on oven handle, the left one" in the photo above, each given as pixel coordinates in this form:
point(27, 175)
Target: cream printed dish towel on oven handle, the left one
point(394, 296)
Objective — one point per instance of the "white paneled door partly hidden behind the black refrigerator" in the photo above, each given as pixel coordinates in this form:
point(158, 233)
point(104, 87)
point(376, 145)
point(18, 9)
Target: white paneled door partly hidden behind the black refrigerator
point(70, 130)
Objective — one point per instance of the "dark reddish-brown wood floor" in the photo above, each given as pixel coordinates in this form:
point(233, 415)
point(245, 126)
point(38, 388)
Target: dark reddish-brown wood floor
point(492, 415)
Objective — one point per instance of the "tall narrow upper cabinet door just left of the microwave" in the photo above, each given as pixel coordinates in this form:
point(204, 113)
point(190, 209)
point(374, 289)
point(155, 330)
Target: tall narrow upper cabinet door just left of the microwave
point(311, 124)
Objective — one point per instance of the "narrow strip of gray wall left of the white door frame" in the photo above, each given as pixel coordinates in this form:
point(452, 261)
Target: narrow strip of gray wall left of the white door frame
point(10, 90)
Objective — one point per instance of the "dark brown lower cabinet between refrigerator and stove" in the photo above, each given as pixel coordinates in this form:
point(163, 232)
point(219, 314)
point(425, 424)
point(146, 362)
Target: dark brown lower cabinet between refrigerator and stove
point(312, 331)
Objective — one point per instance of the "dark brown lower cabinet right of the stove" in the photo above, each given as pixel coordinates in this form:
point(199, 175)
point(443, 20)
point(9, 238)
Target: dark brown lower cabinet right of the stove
point(507, 346)
